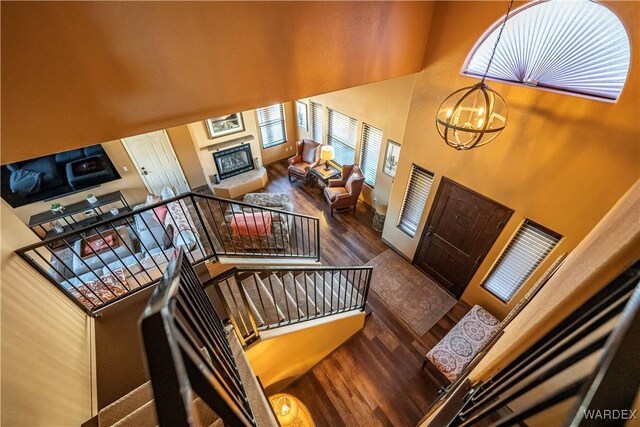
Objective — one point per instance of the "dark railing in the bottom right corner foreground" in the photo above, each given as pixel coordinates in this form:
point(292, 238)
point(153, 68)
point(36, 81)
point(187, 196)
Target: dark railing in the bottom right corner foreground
point(605, 328)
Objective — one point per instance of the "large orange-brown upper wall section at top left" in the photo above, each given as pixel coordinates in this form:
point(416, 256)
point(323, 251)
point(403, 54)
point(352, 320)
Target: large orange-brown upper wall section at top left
point(114, 69)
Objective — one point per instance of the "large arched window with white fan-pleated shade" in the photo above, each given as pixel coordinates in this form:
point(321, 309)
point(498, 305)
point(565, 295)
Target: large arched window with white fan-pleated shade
point(577, 47)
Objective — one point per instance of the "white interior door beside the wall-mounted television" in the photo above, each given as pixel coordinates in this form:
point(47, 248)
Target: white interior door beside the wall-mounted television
point(156, 162)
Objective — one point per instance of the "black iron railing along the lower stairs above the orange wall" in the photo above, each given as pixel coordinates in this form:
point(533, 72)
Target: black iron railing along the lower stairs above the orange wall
point(263, 298)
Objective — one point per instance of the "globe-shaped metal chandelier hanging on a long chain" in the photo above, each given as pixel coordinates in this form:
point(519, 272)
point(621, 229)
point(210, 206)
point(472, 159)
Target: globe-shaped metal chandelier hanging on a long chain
point(474, 115)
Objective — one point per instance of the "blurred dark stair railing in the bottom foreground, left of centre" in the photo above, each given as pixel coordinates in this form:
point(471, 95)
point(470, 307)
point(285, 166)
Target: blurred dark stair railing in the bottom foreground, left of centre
point(187, 352)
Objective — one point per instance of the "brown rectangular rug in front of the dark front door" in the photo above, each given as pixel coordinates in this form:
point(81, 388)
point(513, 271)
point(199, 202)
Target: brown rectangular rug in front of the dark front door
point(410, 293)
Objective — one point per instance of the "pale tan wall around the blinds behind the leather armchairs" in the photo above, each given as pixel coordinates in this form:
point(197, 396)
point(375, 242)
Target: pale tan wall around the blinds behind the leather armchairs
point(383, 105)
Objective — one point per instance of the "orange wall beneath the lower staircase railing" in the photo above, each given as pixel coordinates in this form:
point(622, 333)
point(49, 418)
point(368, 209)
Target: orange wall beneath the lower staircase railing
point(283, 355)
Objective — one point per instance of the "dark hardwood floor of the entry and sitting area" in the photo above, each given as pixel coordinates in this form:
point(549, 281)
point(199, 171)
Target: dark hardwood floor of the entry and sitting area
point(375, 378)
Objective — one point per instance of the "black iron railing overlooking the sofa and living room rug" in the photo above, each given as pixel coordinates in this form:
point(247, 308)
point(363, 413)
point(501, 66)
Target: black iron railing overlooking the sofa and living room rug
point(104, 262)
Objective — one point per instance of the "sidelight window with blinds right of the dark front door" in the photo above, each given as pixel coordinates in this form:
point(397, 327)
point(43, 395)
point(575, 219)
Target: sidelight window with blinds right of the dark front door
point(524, 253)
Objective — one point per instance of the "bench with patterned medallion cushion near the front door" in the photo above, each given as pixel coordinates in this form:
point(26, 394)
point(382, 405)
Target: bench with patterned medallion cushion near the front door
point(446, 361)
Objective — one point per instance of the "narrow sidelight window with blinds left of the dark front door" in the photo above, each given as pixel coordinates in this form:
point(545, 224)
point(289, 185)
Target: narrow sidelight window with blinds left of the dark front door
point(415, 198)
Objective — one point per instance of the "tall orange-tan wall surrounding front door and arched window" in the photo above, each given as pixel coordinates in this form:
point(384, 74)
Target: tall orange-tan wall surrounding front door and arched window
point(562, 161)
